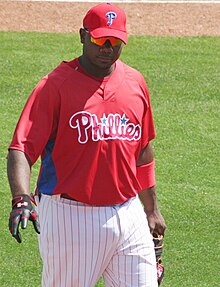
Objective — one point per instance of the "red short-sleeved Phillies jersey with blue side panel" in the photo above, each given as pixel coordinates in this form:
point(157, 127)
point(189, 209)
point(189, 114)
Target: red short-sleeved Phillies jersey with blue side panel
point(88, 132)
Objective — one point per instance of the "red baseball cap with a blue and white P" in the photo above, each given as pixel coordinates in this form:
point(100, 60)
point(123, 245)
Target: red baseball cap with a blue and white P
point(106, 20)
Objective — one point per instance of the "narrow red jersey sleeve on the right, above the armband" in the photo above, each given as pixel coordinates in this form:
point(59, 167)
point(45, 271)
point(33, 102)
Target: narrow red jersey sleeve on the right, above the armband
point(148, 129)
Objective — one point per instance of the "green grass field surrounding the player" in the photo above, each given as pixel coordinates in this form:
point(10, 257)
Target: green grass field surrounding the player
point(183, 77)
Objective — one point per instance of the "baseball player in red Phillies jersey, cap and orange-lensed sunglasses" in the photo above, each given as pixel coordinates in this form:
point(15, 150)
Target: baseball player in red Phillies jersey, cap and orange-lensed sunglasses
point(91, 122)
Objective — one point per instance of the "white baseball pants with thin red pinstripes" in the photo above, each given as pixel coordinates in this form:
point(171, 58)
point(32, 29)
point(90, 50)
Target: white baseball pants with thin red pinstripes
point(79, 243)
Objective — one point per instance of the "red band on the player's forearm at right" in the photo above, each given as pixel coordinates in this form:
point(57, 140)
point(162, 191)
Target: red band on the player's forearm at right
point(146, 175)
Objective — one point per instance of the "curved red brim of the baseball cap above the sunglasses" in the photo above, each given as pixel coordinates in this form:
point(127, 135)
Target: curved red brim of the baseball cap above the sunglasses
point(107, 32)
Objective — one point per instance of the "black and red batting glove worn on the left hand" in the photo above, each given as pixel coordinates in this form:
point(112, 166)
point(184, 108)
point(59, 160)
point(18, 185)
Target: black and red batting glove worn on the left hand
point(22, 211)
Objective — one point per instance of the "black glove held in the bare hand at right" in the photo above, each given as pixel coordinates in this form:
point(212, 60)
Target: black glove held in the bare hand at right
point(158, 247)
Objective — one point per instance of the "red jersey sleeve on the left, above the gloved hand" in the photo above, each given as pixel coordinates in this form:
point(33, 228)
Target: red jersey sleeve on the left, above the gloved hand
point(38, 121)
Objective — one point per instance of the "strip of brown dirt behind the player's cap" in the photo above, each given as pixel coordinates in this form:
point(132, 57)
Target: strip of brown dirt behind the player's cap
point(143, 18)
